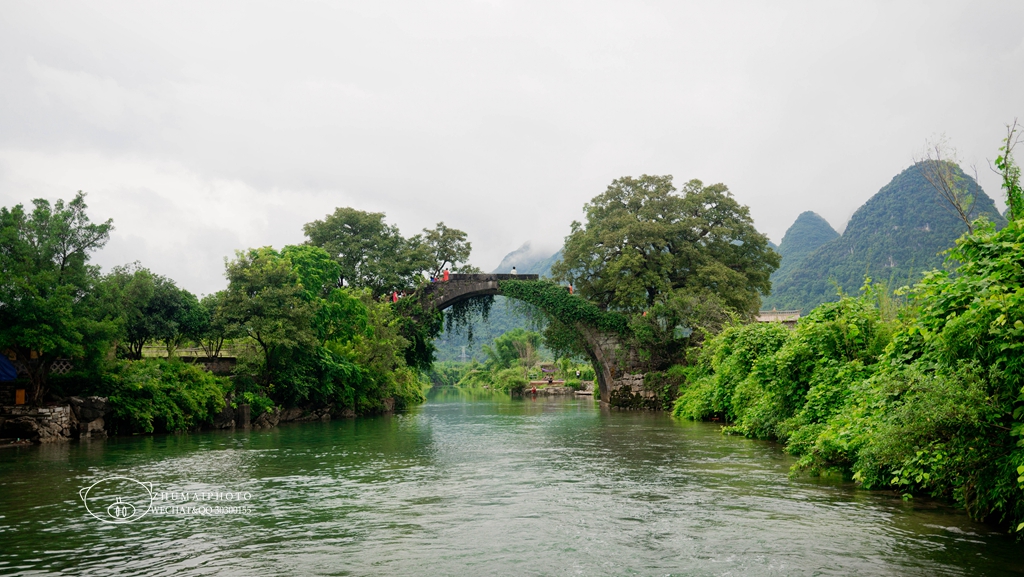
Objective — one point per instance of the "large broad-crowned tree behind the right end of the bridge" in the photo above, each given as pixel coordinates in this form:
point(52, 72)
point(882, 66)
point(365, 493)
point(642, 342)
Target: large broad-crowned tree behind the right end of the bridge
point(644, 241)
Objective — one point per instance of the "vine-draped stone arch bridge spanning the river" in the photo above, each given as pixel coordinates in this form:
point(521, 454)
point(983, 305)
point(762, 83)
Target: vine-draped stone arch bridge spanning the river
point(601, 334)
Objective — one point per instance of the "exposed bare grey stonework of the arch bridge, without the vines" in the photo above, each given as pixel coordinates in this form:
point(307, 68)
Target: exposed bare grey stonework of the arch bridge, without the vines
point(617, 366)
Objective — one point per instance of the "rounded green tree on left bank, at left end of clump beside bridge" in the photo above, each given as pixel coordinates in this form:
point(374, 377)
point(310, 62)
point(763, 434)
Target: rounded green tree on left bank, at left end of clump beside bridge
point(268, 303)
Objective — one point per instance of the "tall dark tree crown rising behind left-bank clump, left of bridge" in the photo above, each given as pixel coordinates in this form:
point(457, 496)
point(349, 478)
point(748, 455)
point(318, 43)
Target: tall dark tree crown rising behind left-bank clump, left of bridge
point(372, 254)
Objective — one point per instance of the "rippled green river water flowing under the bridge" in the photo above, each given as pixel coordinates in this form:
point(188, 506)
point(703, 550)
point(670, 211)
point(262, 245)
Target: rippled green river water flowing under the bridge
point(476, 486)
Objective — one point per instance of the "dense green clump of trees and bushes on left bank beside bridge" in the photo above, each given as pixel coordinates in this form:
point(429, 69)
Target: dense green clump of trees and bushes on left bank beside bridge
point(319, 345)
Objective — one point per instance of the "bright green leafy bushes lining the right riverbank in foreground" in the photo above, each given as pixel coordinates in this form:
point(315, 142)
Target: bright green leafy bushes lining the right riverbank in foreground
point(927, 400)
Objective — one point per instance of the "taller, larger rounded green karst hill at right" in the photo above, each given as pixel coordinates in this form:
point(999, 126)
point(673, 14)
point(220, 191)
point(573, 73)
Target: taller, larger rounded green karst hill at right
point(894, 237)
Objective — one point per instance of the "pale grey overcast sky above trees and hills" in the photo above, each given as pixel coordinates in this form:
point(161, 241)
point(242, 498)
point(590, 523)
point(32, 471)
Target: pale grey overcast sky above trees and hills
point(205, 128)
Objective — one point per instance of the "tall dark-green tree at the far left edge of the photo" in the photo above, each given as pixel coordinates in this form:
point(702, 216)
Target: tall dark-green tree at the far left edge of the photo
point(45, 278)
